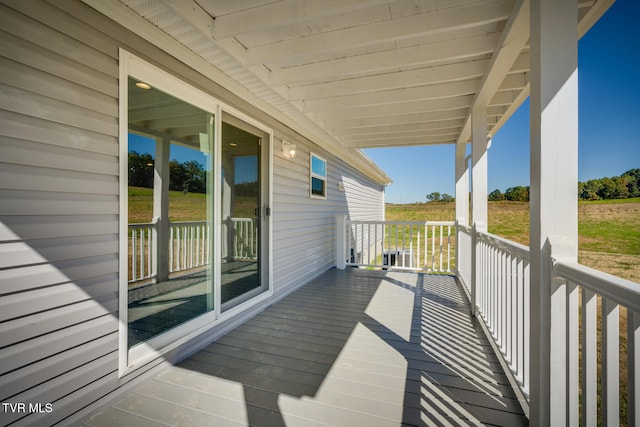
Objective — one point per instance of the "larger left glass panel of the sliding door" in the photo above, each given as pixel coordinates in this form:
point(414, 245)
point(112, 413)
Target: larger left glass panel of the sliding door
point(170, 210)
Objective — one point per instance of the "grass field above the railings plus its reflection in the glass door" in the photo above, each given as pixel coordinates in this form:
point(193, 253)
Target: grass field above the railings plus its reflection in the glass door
point(608, 230)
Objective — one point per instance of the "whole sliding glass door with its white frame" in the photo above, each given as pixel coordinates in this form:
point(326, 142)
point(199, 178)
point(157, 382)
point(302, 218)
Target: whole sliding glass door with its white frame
point(194, 213)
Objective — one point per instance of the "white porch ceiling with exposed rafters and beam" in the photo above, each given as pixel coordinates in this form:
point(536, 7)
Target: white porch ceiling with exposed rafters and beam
point(368, 73)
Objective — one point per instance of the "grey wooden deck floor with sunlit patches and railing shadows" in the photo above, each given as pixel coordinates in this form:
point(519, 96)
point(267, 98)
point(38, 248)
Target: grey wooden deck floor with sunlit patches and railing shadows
point(352, 348)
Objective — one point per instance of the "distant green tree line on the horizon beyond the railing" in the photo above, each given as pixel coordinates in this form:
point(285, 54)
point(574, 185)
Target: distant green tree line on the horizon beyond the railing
point(618, 187)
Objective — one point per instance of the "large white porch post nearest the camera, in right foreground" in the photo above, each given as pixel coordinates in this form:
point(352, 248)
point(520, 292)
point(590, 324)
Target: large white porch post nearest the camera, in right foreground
point(554, 173)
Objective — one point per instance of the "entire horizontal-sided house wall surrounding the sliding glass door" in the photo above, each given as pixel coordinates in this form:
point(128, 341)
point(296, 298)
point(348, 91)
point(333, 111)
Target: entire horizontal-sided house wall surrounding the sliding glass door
point(59, 207)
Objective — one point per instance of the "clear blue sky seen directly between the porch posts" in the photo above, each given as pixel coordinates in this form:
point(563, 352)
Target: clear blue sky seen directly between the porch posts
point(609, 121)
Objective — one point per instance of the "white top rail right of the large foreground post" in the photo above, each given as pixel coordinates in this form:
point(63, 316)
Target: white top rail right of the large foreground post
point(621, 291)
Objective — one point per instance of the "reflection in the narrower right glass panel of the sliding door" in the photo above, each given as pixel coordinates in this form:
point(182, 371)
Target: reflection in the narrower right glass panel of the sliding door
point(243, 213)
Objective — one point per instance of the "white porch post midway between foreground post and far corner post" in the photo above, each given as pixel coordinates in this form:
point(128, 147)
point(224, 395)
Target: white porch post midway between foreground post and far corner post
point(479, 167)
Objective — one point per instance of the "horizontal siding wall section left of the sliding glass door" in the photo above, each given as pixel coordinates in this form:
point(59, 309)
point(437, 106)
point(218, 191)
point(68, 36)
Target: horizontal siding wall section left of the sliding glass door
point(58, 210)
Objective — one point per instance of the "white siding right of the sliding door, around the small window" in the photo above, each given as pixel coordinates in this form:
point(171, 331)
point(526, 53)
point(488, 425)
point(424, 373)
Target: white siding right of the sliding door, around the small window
point(304, 228)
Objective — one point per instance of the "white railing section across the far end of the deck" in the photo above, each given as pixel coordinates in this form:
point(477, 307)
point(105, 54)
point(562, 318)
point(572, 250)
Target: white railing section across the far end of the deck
point(403, 245)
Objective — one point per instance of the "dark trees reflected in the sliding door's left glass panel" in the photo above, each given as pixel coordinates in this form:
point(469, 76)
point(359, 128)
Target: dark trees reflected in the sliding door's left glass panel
point(189, 176)
